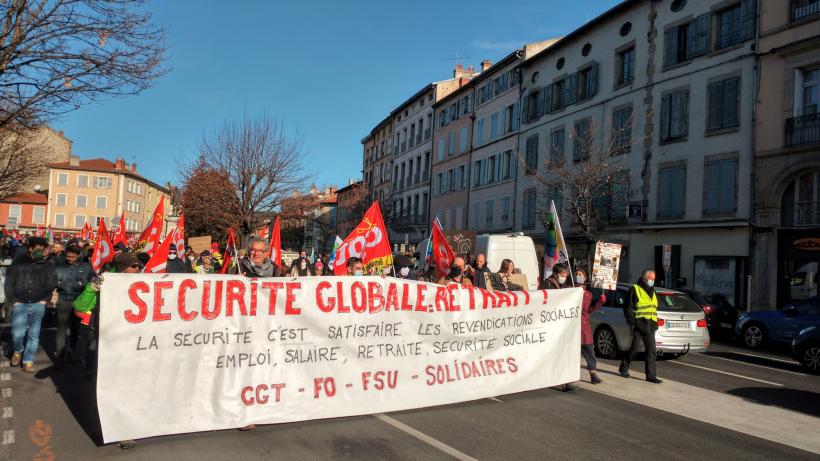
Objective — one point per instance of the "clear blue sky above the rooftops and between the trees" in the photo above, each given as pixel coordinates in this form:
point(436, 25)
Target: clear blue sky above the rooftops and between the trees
point(330, 70)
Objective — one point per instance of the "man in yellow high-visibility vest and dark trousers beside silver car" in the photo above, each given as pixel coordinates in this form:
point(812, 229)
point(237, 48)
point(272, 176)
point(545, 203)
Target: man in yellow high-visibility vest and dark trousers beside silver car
point(641, 314)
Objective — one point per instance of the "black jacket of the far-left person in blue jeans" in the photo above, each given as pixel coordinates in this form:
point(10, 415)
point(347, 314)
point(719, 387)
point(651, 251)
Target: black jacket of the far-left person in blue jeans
point(30, 282)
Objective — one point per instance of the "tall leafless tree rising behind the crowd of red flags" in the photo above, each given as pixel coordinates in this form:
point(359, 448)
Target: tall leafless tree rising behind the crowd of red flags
point(264, 164)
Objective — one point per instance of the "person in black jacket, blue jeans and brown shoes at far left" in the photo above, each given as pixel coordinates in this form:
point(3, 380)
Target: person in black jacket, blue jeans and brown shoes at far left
point(30, 282)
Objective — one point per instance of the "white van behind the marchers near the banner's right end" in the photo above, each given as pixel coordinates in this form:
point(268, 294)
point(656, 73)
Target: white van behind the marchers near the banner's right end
point(516, 247)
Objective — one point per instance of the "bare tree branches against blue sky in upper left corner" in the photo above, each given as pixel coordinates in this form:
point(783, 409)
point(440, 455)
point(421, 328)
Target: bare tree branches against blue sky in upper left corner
point(56, 55)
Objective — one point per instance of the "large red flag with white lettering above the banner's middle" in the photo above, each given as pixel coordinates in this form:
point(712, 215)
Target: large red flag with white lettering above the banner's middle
point(368, 241)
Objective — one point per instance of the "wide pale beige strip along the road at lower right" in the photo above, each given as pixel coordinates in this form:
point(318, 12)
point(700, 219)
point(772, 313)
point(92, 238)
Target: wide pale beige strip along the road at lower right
point(770, 422)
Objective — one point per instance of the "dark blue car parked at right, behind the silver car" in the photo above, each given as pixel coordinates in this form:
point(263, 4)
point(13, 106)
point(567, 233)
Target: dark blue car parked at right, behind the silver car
point(758, 328)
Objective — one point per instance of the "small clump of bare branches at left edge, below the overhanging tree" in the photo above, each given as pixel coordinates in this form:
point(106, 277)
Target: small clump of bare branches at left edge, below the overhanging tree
point(23, 157)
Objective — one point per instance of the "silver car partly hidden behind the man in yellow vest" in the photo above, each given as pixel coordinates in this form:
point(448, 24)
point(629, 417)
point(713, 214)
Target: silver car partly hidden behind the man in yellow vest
point(681, 324)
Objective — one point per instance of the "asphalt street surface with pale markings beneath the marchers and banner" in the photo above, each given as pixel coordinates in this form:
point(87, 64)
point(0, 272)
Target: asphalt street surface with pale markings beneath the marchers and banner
point(728, 403)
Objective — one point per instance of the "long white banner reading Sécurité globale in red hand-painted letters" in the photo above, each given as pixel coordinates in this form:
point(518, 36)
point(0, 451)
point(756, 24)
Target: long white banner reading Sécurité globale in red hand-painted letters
point(185, 352)
